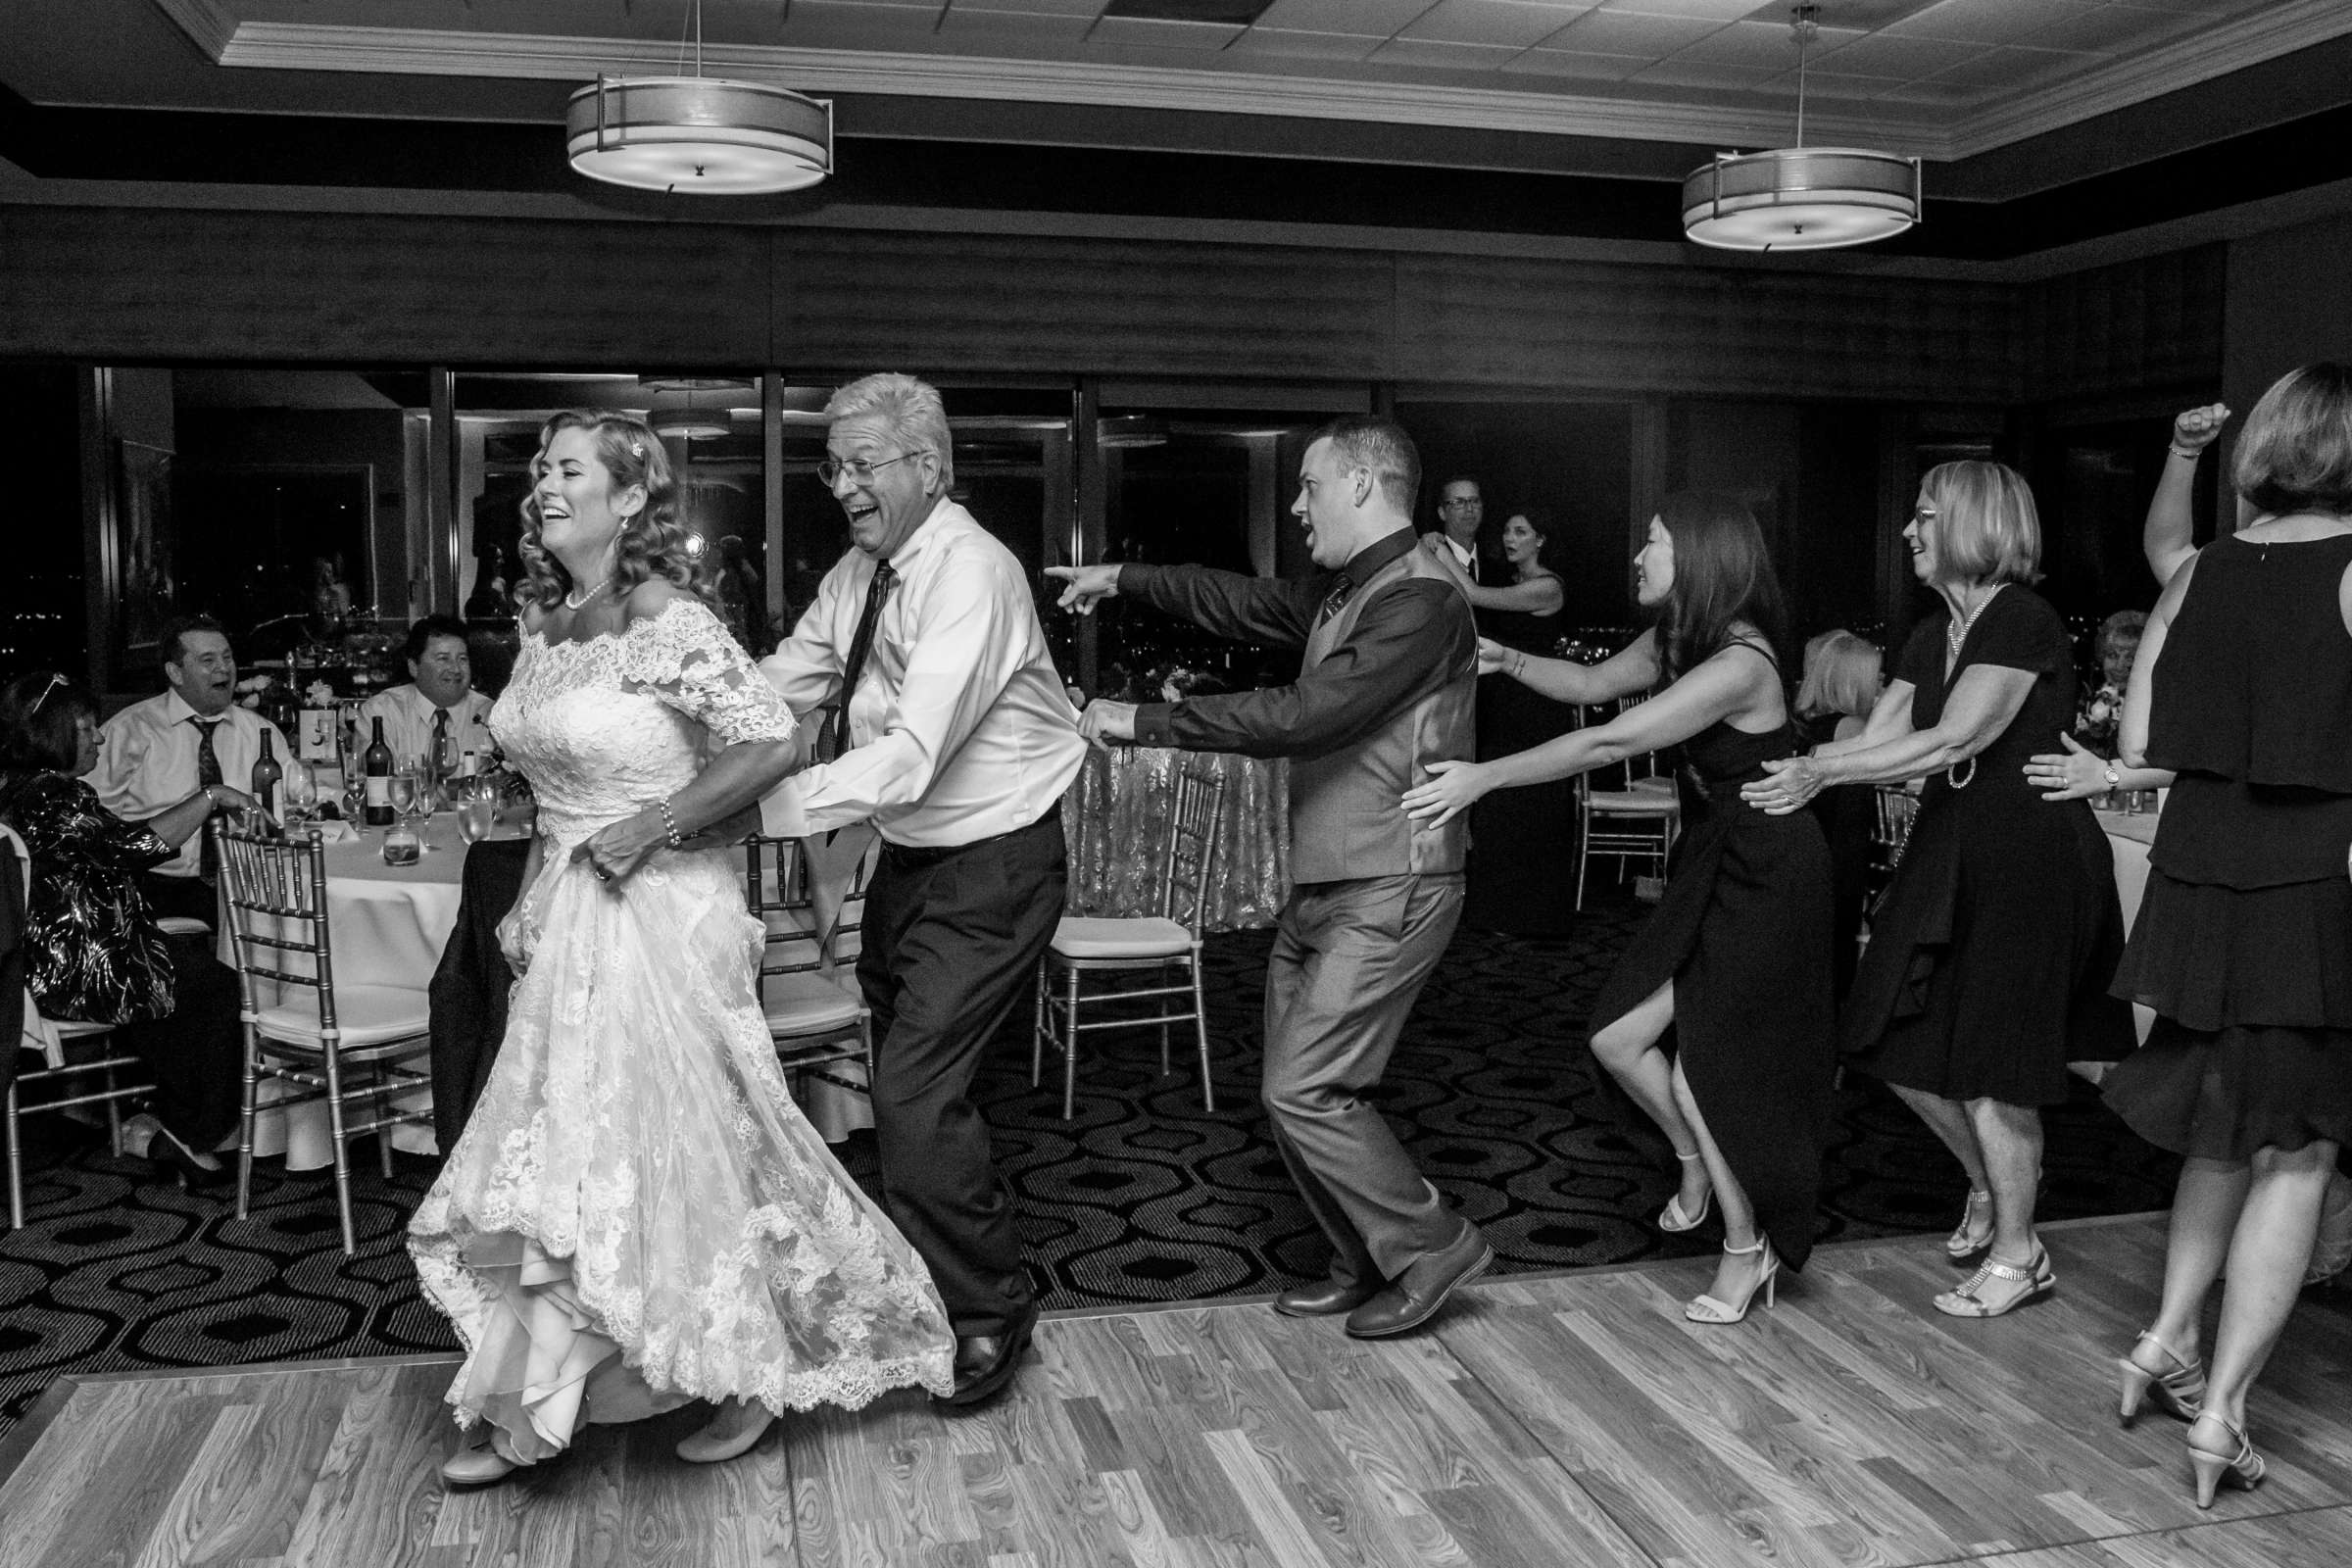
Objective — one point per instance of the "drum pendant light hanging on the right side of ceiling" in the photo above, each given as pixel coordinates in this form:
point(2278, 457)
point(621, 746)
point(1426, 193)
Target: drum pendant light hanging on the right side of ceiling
point(1800, 199)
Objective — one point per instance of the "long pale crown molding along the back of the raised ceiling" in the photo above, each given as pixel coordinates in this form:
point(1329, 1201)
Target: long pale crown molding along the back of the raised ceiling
point(1036, 81)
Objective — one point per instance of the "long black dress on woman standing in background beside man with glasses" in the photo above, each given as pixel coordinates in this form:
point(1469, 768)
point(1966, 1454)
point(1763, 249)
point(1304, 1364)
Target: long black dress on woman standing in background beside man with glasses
point(1523, 843)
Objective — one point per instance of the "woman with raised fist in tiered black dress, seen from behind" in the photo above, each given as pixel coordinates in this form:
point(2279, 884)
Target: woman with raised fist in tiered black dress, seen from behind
point(2245, 939)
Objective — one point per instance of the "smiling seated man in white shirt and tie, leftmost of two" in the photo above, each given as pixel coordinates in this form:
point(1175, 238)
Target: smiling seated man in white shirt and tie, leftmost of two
point(185, 742)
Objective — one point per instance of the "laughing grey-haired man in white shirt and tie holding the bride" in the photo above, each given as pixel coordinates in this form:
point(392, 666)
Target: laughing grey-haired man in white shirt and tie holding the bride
point(956, 739)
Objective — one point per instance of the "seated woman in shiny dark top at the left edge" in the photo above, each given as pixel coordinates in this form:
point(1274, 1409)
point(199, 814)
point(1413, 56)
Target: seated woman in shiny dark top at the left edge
point(98, 951)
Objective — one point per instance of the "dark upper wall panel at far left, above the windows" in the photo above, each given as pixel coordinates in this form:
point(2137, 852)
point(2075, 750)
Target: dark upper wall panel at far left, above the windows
point(232, 286)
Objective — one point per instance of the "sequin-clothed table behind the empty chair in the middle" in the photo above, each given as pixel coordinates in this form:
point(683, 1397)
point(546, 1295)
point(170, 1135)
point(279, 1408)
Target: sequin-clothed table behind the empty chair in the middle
point(1118, 822)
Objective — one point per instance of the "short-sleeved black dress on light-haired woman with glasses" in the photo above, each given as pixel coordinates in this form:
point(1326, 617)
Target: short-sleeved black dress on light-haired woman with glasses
point(1991, 956)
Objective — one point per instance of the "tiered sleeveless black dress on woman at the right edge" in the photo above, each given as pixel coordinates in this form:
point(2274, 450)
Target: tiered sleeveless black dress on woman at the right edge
point(2245, 937)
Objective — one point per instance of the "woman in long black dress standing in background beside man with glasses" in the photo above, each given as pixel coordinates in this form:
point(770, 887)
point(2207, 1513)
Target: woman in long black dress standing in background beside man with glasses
point(1521, 843)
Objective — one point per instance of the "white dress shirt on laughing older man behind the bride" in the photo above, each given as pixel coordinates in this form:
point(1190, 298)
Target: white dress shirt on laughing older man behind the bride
point(961, 725)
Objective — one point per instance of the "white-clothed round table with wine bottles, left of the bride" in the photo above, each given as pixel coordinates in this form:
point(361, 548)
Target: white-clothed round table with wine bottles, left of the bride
point(389, 927)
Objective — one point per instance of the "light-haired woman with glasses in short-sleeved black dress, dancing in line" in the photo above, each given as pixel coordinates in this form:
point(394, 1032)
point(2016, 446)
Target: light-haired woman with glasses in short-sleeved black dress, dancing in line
point(1991, 953)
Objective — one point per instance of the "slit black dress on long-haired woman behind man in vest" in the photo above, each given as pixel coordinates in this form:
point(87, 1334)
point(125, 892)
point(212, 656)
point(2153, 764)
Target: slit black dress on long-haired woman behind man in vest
point(1744, 934)
